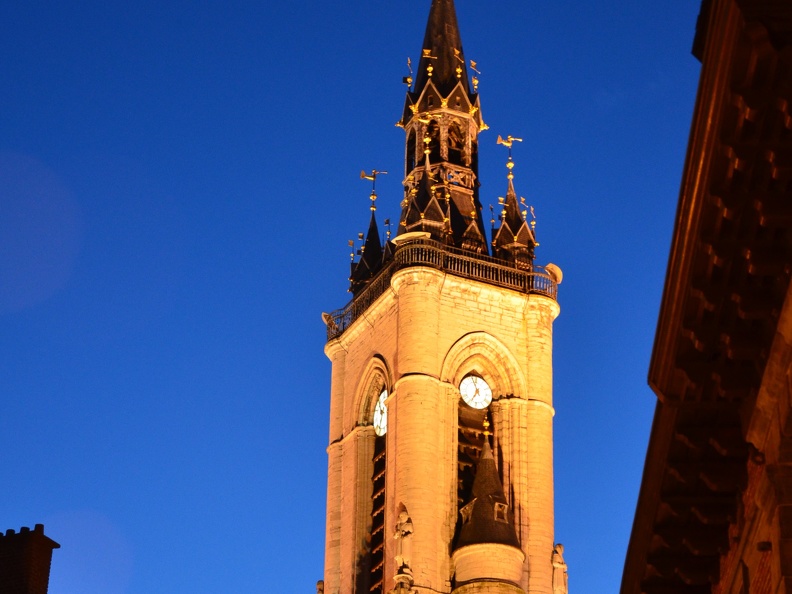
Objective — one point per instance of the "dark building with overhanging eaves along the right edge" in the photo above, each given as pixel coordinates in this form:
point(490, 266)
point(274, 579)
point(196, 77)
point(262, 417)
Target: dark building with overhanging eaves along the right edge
point(714, 513)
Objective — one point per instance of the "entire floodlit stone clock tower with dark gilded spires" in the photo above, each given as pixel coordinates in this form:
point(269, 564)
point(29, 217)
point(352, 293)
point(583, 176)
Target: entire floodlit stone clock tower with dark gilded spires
point(440, 470)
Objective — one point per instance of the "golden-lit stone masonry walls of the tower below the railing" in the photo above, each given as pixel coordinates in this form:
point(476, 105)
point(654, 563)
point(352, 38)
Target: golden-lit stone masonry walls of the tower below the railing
point(426, 333)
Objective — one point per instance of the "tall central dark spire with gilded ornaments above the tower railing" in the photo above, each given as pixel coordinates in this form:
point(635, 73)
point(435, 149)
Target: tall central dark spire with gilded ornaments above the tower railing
point(442, 121)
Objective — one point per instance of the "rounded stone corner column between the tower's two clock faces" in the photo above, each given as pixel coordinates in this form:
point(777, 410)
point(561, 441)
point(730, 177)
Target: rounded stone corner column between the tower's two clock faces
point(421, 433)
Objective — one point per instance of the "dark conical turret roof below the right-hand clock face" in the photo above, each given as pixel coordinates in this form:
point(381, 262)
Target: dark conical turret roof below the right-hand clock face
point(483, 527)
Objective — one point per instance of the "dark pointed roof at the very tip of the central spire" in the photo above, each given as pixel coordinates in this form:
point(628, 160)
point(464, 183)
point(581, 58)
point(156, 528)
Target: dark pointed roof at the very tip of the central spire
point(443, 40)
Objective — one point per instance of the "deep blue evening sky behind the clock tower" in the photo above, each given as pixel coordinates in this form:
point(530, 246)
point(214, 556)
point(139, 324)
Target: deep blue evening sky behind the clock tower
point(178, 182)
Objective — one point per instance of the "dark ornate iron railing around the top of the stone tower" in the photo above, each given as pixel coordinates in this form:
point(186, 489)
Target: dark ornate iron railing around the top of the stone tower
point(425, 252)
